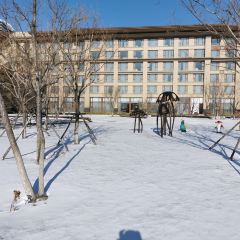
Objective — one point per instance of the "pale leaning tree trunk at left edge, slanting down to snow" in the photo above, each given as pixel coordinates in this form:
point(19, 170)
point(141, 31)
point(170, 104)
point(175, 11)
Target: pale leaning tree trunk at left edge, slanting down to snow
point(18, 157)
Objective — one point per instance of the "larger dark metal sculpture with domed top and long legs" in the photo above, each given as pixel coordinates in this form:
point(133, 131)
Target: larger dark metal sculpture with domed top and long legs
point(166, 112)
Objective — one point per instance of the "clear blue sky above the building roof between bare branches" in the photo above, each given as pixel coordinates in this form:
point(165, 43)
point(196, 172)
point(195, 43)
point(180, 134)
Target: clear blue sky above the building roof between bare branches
point(130, 13)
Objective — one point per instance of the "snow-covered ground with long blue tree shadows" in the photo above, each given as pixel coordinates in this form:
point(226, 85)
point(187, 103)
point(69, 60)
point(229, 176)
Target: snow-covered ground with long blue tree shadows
point(172, 188)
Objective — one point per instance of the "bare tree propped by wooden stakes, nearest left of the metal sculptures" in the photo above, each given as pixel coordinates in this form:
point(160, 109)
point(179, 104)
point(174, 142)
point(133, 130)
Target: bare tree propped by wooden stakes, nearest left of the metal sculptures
point(83, 51)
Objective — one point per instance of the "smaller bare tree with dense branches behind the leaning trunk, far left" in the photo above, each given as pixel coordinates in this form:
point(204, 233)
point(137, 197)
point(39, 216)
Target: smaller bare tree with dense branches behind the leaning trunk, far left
point(16, 70)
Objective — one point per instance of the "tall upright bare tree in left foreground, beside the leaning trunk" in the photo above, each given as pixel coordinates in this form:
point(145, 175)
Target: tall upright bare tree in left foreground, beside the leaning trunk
point(27, 68)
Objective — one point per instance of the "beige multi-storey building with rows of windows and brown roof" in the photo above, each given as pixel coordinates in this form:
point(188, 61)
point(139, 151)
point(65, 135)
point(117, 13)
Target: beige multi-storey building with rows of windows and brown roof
point(141, 63)
